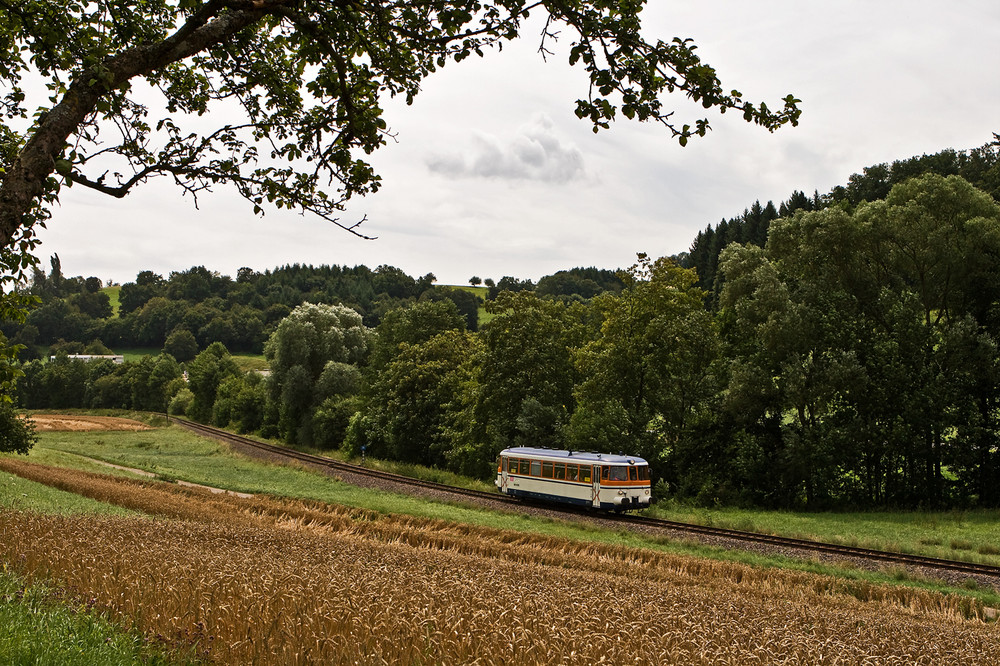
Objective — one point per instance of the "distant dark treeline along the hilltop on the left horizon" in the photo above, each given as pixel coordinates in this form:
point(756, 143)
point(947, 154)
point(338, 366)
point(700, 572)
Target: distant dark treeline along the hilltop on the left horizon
point(208, 307)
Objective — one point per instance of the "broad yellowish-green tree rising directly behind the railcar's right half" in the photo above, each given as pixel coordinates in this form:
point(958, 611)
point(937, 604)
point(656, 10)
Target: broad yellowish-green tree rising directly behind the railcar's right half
point(648, 371)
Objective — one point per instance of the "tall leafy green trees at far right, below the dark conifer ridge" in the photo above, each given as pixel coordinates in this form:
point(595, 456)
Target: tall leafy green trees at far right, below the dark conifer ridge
point(863, 349)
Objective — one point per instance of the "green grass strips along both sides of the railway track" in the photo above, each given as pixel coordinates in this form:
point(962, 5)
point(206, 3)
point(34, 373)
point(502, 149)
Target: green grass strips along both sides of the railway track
point(175, 453)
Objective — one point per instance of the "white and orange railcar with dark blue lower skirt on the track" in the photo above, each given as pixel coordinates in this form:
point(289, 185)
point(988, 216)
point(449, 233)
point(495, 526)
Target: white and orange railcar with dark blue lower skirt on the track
point(598, 480)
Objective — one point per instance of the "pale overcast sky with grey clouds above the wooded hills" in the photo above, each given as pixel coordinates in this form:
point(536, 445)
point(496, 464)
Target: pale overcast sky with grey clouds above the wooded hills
point(493, 175)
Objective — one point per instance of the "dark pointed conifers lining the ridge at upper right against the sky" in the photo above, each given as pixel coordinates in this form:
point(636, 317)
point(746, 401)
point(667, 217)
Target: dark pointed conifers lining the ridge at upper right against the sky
point(980, 166)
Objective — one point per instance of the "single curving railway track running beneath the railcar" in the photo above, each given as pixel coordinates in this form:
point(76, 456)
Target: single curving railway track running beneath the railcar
point(838, 550)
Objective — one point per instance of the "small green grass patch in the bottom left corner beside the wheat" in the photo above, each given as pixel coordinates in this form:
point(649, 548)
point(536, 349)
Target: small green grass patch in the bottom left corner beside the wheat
point(41, 628)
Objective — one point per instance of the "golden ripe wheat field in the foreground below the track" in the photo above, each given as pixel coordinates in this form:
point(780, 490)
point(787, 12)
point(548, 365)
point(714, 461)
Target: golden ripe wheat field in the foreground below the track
point(275, 581)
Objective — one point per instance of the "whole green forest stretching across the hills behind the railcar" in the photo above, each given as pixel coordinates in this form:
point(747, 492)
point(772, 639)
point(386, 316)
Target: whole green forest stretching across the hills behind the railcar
point(832, 351)
